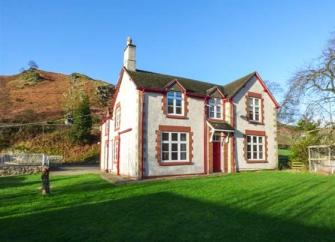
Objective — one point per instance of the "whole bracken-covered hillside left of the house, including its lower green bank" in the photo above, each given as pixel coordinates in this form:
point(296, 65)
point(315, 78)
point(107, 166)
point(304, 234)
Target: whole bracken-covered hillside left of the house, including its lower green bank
point(36, 95)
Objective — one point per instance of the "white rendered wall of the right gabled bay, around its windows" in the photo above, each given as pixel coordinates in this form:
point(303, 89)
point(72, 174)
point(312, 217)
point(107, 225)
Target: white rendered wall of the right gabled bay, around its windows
point(269, 126)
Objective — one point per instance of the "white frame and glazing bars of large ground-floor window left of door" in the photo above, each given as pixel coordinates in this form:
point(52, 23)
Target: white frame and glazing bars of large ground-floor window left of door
point(179, 143)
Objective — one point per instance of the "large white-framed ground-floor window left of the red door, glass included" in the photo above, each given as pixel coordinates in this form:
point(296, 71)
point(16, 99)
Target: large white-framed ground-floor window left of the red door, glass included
point(174, 146)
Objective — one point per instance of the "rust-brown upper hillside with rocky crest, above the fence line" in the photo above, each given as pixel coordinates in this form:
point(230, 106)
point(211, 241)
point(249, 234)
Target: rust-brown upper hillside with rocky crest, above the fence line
point(41, 94)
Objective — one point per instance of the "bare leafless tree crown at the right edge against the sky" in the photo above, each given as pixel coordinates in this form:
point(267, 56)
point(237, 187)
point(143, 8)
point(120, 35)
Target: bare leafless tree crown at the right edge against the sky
point(312, 90)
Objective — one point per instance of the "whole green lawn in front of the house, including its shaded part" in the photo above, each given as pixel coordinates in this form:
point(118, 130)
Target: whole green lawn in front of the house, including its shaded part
point(255, 206)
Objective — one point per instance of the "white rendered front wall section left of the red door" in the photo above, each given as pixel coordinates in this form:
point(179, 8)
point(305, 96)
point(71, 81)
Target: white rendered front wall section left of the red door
point(154, 117)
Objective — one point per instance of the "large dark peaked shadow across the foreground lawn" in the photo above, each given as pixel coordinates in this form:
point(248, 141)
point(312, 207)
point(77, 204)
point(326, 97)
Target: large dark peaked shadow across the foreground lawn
point(161, 216)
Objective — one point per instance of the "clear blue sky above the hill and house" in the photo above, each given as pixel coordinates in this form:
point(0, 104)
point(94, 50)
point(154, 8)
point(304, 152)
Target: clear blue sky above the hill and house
point(216, 41)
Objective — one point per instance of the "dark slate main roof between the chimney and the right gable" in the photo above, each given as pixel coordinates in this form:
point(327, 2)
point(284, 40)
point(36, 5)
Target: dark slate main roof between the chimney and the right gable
point(146, 79)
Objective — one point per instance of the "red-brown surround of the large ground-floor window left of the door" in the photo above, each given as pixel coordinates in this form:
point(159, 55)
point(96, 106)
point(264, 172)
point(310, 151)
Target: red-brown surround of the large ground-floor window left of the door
point(168, 128)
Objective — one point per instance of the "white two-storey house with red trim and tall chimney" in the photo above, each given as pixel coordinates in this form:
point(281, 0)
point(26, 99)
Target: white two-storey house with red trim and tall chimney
point(162, 125)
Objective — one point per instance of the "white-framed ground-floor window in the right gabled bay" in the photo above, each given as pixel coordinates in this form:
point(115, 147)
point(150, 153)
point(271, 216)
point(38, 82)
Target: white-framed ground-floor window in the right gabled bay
point(252, 144)
